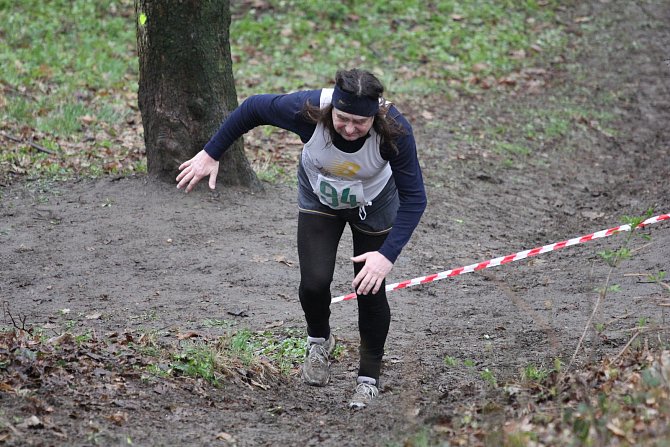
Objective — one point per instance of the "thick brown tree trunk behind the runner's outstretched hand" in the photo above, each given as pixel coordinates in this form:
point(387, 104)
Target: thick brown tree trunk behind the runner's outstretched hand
point(186, 85)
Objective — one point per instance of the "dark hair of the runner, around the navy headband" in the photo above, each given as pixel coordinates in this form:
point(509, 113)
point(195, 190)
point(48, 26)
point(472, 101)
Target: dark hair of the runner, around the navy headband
point(362, 84)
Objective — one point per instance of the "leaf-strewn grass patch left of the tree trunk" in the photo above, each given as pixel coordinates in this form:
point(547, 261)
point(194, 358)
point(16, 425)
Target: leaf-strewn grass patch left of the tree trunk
point(69, 79)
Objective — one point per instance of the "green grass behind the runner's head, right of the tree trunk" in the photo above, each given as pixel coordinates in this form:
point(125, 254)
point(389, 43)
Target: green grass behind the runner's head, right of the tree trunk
point(417, 47)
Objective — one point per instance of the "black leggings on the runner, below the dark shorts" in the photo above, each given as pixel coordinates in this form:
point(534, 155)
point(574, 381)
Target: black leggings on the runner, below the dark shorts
point(318, 238)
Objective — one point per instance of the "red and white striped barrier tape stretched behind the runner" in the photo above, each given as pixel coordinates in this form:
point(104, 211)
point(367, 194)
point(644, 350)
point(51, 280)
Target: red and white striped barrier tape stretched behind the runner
point(509, 258)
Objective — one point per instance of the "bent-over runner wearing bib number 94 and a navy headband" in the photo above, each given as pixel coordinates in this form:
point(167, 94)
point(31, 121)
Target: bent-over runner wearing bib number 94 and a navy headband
point(358, 166)
